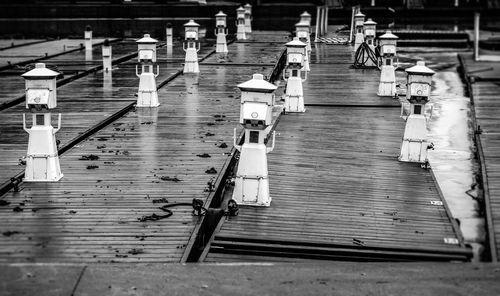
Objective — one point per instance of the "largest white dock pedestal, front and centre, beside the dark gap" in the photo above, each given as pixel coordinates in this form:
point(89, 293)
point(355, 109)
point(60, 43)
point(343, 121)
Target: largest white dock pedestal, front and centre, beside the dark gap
point(252, 178)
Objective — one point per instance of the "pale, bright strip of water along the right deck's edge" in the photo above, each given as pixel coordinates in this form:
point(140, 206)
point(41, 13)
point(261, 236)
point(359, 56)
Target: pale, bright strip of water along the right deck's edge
point(453, 160)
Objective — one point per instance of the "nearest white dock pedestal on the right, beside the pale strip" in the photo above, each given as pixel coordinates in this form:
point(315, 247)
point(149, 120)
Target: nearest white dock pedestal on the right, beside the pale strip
point(414, 145)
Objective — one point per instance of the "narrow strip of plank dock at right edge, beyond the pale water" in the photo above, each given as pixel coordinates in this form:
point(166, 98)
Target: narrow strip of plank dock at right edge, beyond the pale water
point(482, 79)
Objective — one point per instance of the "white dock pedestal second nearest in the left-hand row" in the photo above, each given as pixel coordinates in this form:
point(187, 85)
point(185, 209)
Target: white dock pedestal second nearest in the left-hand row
point(147, 95)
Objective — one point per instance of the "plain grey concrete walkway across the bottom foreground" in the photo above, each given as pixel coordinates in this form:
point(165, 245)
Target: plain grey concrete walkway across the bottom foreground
point(255, 279)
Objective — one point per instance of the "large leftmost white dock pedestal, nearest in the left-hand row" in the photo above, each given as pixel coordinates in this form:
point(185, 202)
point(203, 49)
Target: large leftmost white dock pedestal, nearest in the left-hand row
point(42, 162)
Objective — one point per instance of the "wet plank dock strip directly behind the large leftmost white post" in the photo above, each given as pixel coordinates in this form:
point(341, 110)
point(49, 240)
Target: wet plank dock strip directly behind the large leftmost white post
point(83, 104)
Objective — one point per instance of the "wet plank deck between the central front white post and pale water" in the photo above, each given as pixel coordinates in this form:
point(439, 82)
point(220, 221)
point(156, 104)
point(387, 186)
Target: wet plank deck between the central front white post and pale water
point(336, 183)
